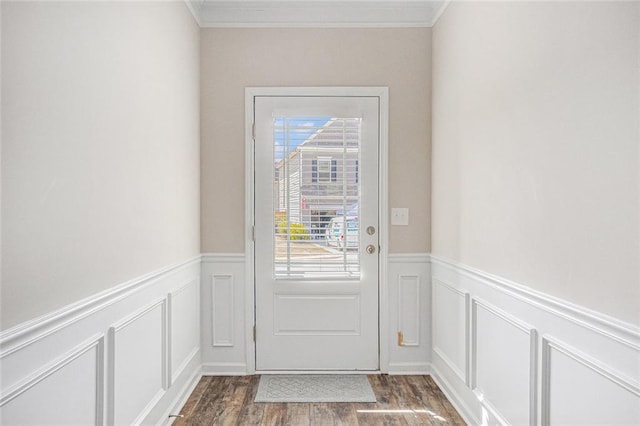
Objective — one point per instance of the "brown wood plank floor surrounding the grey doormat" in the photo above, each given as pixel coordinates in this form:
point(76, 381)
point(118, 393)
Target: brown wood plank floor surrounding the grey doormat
point(401, 400)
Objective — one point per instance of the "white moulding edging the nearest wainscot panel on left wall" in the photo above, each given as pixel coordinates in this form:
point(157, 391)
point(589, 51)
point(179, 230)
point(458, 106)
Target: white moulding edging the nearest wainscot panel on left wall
point(96, 342)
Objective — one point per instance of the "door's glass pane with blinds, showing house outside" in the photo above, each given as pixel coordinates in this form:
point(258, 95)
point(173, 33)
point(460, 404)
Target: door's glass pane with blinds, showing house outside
point(316, 194)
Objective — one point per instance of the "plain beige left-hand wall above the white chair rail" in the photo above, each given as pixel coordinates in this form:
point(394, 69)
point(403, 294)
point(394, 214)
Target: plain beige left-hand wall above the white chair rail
point(100, 148)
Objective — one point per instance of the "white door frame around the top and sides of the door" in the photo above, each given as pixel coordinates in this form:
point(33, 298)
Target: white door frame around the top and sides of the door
point(383, 150)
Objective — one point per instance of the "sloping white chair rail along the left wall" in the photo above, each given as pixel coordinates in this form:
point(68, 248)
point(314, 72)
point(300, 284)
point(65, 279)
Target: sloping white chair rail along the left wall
point(31, 331)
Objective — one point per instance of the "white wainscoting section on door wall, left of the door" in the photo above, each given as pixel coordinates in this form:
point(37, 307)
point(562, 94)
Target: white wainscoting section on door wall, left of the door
point(225, 318)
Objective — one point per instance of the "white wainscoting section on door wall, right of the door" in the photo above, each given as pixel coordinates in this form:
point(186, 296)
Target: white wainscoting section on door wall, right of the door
point(407, 302)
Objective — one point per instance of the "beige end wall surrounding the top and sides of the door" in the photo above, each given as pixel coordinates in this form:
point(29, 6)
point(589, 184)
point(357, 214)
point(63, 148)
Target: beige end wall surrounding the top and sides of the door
point(232, 59)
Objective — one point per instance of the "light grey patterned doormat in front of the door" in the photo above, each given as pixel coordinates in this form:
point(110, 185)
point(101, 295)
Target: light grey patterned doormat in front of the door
point(315, 388)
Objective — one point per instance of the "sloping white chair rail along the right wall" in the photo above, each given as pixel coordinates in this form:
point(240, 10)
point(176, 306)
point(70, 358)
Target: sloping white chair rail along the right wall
point(613, 328)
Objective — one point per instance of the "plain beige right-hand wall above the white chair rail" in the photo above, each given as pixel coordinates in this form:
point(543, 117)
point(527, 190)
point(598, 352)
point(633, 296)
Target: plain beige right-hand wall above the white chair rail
point(535, 143)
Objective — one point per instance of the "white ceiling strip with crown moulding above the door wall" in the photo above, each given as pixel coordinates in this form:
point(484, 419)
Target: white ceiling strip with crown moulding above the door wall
point(316, 13)
